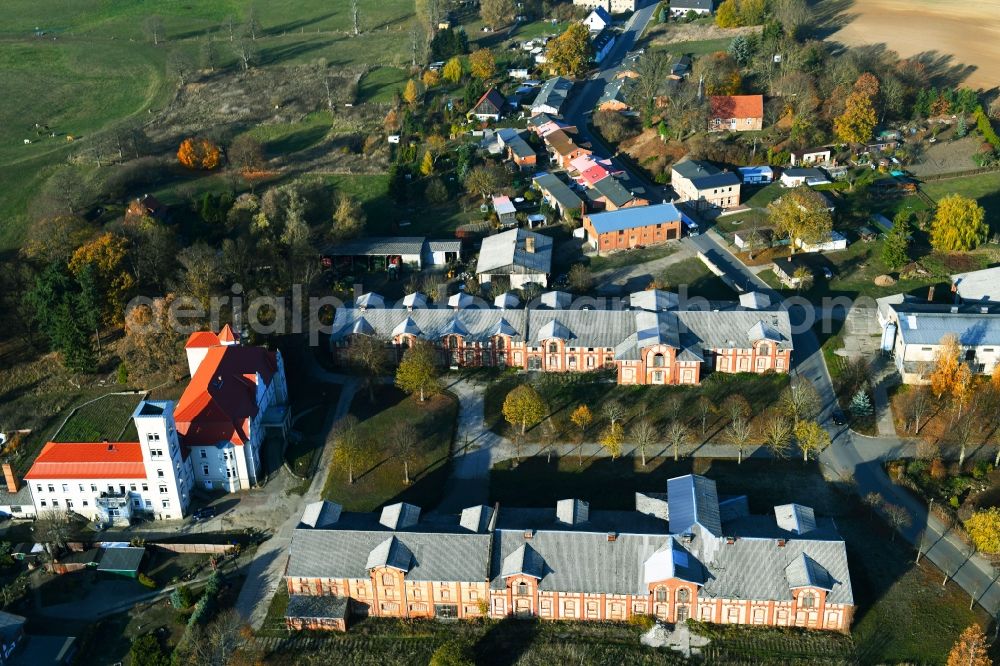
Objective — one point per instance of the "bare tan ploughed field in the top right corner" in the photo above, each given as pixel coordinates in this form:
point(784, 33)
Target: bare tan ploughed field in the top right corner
point(966, 34)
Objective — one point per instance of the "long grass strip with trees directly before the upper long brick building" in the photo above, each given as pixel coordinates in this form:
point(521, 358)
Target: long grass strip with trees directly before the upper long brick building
point(563, 393)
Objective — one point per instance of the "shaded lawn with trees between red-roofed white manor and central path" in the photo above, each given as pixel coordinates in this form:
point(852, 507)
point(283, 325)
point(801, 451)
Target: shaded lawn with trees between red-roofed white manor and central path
point(381, 481)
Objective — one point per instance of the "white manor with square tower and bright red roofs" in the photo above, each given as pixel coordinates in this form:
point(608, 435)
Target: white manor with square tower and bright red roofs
point(212, 436)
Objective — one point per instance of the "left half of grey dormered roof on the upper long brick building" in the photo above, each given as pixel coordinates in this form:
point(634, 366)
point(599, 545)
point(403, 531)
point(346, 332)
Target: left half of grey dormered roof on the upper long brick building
point(431, 323)
